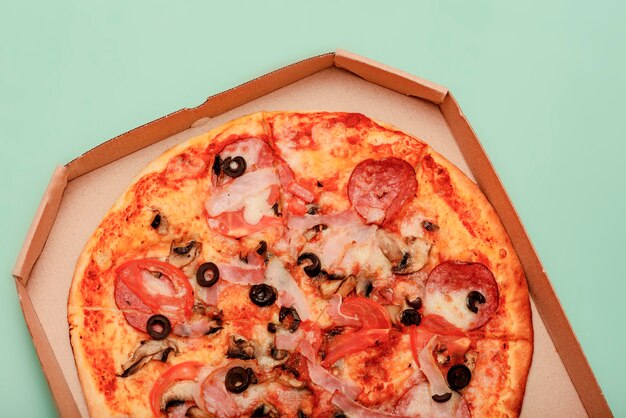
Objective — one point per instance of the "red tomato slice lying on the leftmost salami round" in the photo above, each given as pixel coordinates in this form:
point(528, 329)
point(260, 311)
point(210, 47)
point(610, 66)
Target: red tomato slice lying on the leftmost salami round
point(170, 293)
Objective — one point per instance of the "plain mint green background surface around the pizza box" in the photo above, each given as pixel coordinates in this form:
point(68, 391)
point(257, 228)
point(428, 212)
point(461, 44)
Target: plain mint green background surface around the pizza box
point(541, 82)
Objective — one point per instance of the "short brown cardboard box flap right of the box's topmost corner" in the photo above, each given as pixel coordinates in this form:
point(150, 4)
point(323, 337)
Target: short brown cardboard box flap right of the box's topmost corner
point(389, 77)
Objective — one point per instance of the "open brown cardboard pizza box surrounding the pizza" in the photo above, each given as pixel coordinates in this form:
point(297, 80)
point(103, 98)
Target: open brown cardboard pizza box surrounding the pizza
point(561, 382)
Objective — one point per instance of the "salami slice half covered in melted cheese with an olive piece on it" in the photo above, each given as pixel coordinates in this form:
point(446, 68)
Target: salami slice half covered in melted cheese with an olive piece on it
point(462, 294)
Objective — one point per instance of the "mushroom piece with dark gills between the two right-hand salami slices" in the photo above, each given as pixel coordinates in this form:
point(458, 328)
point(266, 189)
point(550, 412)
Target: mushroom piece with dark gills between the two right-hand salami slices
point(406, 256)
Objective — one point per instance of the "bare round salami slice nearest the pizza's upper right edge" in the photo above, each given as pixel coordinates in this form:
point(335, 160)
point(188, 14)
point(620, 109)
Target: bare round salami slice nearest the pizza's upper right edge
point(378, 189)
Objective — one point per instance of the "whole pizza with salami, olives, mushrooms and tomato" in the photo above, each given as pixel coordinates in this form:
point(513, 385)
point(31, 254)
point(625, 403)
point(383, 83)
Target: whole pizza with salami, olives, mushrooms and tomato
point(301, 265)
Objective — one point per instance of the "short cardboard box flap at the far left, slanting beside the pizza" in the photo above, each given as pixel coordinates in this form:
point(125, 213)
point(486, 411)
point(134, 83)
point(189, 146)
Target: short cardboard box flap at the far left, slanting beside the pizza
point(41, 225)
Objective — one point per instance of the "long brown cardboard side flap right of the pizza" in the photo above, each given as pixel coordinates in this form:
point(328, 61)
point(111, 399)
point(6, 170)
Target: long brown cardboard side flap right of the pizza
point(540, 288)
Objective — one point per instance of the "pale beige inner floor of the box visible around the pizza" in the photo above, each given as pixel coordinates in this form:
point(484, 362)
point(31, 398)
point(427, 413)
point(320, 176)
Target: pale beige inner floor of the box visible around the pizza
point(87, 198)
